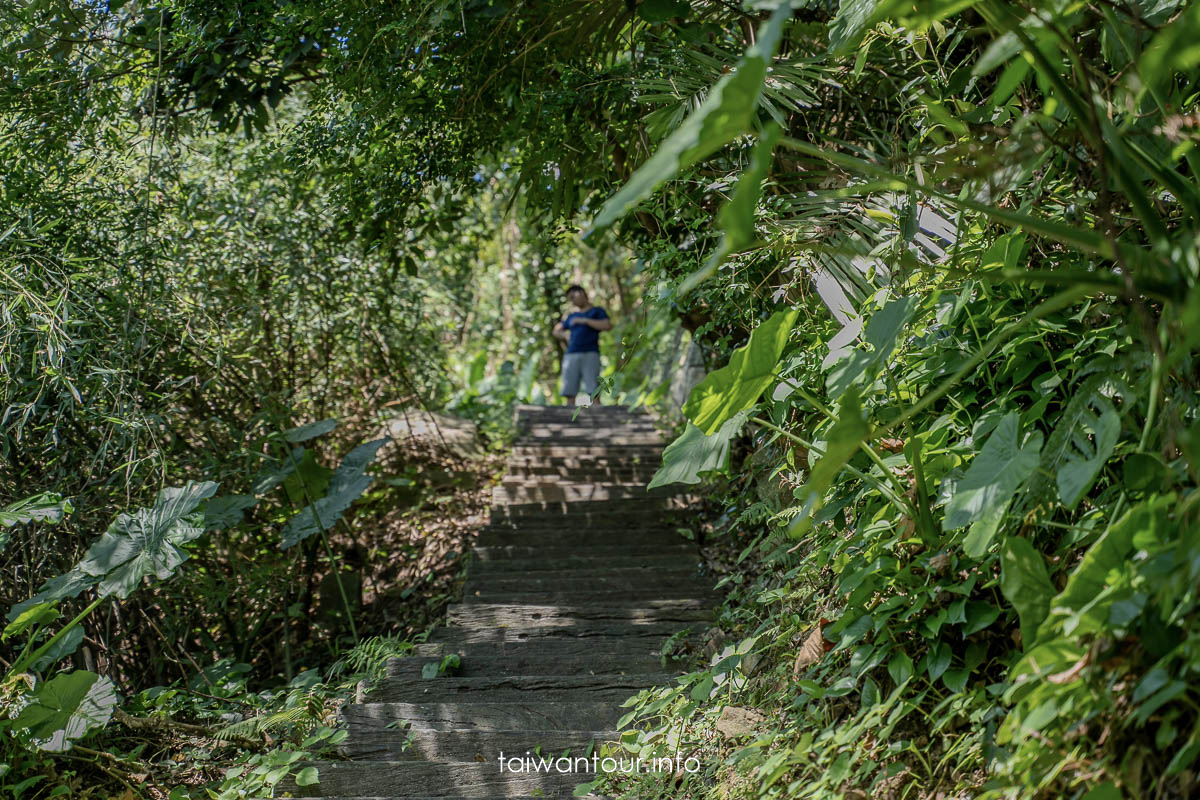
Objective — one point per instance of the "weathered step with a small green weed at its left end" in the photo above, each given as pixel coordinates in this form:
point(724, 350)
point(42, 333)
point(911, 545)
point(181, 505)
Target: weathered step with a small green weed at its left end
point(598, 654)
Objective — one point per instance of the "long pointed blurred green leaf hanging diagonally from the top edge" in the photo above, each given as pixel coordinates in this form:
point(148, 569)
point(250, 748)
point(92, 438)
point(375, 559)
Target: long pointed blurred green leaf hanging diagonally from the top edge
point(725, 115)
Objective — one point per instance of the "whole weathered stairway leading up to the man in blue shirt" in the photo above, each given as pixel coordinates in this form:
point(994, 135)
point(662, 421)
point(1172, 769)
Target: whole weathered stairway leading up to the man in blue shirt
point(573, 590)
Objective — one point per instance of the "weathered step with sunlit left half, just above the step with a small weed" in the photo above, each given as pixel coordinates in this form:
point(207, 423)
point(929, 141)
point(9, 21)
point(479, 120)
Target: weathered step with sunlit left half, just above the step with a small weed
point(539, 616)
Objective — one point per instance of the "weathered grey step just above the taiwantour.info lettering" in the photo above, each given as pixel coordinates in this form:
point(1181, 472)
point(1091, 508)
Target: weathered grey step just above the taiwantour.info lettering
point(482, 715)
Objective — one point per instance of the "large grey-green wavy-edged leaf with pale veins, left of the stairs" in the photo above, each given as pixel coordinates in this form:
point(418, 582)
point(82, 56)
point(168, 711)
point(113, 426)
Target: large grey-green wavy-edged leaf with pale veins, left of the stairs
point(148, 543)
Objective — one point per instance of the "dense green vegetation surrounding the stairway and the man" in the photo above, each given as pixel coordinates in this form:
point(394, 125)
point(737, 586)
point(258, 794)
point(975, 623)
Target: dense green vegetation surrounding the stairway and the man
point(943, 257)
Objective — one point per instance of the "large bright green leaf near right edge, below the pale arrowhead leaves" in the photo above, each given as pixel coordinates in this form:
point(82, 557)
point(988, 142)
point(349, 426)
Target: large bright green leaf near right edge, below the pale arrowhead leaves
point(1083, 606)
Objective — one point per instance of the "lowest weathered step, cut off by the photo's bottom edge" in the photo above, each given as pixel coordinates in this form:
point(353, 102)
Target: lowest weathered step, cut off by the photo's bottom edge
point(434, 780)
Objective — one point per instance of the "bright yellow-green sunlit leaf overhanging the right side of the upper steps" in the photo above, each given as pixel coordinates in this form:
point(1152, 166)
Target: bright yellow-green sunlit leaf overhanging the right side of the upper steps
point(736, 387)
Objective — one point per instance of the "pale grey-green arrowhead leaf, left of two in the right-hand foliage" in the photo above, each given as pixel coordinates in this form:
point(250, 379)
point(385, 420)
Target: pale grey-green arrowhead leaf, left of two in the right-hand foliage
point(994, 477)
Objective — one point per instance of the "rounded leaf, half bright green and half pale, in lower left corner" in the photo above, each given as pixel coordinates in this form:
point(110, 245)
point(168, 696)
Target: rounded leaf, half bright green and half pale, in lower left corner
point(67, 708)
